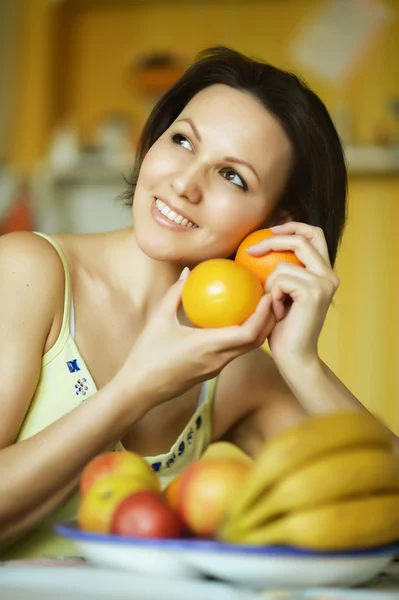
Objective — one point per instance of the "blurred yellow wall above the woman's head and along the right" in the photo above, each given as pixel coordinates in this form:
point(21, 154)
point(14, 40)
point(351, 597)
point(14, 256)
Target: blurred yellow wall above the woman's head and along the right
point(360, 338)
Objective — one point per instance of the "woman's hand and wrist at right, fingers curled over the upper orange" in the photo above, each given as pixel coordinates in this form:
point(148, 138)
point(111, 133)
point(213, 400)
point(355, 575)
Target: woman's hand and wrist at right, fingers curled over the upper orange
point(300, 296)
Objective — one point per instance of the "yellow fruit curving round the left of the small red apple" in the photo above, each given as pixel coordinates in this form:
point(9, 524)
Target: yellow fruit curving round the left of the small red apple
point(100, 502)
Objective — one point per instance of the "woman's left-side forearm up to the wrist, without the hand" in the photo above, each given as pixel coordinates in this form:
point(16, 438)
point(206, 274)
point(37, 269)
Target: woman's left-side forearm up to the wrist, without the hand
point(40, 472)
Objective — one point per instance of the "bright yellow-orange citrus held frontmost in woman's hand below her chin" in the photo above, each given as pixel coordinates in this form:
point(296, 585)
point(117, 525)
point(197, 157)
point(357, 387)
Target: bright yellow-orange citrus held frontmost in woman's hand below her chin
point(220, 293)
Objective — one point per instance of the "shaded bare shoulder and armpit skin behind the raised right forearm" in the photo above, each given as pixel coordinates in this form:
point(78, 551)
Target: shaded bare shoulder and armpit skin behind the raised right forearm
point(253, 402)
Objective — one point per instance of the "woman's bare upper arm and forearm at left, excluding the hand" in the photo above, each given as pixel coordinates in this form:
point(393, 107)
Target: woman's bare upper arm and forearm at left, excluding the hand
point(38, 473)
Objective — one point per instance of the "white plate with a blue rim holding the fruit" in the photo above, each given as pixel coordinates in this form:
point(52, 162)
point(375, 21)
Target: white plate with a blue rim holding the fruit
point(254, 567)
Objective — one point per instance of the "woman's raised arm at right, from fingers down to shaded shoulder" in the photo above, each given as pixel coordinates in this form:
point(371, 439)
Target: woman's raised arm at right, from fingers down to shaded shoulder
point(296, 382)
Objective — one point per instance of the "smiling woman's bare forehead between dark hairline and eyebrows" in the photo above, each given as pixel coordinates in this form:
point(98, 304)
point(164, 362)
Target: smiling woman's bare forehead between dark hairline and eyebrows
point(236, 120)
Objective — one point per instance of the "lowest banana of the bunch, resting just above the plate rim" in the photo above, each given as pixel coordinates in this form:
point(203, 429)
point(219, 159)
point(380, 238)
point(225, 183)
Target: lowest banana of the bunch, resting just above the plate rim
point(351, 524)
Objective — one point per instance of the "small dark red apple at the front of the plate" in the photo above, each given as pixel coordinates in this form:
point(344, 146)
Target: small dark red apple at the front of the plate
point(146, 515)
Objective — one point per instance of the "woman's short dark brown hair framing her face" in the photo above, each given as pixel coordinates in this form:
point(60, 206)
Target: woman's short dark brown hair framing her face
point(316, 189)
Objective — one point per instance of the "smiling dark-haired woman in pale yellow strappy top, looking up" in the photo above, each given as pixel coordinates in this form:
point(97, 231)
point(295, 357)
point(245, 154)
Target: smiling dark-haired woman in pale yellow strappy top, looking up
point(92, 354)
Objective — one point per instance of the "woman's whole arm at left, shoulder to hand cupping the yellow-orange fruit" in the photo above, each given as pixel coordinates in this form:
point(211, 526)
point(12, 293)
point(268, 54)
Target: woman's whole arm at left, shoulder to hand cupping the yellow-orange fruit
point(166, 359)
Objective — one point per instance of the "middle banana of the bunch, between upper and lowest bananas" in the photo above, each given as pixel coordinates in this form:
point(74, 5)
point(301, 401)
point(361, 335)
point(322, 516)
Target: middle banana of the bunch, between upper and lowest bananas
point(349, 473)
